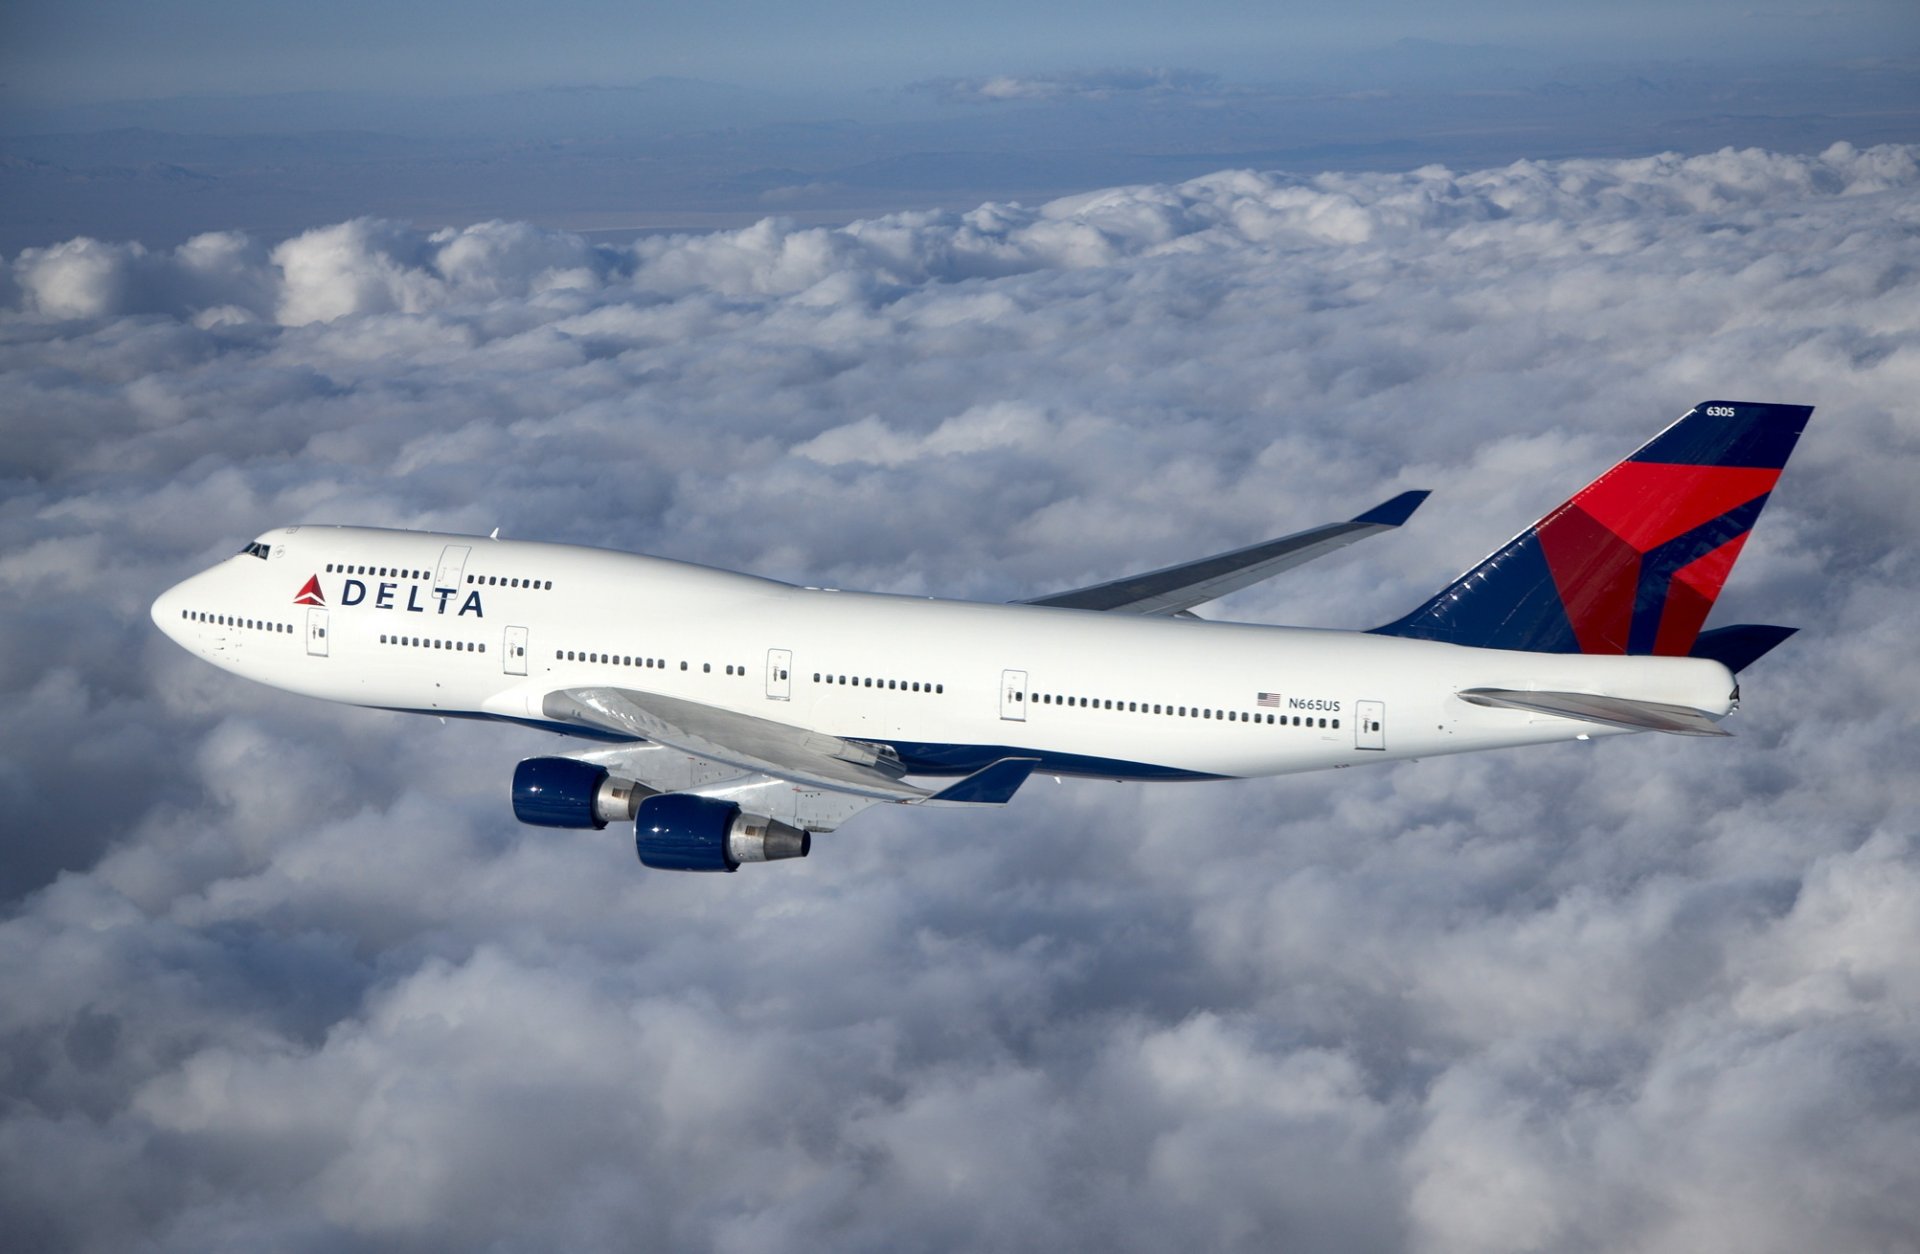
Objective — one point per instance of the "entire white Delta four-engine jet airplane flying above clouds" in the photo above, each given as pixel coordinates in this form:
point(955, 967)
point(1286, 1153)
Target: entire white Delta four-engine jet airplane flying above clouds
point(731, 719)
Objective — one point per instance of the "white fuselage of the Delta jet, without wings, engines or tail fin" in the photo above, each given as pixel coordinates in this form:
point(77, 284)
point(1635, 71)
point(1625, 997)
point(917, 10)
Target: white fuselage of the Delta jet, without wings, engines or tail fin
point(473, 627)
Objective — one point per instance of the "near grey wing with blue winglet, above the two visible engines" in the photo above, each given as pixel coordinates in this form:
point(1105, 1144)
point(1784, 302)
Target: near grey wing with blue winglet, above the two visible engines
point(761, 746)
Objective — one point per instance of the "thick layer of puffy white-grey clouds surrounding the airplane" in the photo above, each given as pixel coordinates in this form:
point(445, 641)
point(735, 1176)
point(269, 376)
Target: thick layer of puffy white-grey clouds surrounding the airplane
point(289, 977)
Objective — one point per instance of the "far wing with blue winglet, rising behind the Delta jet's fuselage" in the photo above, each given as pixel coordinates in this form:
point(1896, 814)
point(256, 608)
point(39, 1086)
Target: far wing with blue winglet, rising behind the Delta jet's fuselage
point(1180, 589)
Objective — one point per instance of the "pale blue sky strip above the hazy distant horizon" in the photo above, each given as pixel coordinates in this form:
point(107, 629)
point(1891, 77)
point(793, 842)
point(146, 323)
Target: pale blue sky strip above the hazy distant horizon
point(116, 49)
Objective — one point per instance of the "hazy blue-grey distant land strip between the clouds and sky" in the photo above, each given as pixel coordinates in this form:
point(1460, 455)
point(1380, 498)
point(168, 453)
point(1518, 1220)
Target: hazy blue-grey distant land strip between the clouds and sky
point(673, 153)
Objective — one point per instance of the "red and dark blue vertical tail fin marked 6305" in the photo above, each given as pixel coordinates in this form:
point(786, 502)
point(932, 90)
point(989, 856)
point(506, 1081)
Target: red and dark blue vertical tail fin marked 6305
point(1635, 560)
